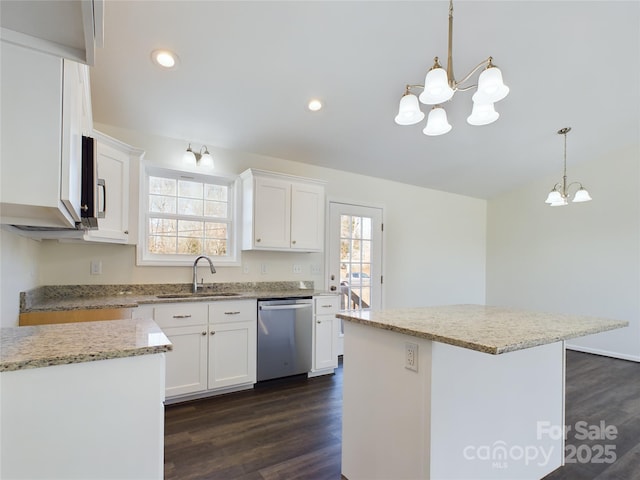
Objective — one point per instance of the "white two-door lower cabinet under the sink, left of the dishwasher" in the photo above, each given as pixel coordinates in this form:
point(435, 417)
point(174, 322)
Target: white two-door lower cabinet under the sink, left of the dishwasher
point(214, 345)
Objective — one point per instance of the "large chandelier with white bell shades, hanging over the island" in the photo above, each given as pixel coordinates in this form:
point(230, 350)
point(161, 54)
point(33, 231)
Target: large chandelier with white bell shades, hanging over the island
point(439, 87)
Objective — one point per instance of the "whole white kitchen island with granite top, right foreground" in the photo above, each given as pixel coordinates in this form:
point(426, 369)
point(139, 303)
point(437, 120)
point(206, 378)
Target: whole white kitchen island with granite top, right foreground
point(456, 392)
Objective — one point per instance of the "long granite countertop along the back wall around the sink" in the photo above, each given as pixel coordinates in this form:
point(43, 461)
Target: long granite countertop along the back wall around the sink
point(81, 297)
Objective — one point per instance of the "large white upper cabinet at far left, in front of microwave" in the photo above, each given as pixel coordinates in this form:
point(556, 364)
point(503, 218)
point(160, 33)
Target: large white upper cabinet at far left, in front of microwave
point(44, 104)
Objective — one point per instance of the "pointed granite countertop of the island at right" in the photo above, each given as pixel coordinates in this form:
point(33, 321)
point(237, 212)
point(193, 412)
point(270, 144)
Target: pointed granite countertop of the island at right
point(486, 329)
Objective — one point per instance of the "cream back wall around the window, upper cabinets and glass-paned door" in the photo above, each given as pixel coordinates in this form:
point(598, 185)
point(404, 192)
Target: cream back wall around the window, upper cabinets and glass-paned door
point(434, 242)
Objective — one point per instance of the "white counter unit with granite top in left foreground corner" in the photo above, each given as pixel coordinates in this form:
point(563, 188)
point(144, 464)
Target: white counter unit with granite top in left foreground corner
point(82, 400)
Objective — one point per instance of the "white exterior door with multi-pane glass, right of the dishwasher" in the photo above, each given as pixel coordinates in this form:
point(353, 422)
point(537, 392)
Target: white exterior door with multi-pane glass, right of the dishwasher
point(355, 257)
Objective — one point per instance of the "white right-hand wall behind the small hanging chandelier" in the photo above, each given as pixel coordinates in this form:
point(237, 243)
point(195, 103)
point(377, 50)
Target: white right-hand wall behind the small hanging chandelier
point(581, 258)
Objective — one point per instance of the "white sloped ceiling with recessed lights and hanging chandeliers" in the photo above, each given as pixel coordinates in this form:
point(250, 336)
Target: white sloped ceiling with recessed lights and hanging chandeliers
point(248, 69)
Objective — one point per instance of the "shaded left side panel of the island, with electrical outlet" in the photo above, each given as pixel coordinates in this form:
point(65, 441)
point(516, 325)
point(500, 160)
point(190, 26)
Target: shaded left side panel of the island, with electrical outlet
point(385, 429)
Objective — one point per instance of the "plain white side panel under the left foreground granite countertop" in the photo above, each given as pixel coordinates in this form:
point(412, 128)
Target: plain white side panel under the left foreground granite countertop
point(98, 420)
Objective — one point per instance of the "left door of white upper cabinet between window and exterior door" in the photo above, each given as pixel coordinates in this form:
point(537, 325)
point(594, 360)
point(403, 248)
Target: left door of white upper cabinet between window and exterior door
point(272, 217)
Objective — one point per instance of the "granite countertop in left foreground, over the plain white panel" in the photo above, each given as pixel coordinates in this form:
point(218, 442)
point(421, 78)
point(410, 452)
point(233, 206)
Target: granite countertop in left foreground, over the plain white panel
point(47, 345)
